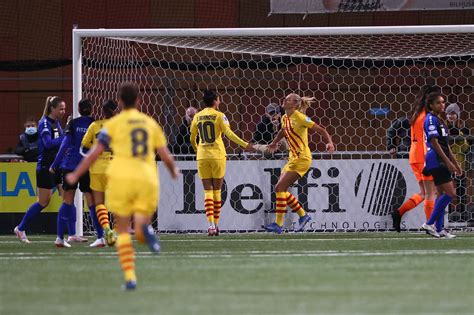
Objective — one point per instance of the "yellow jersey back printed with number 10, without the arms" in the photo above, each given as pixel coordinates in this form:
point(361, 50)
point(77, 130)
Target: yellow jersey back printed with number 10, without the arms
point(209, 123)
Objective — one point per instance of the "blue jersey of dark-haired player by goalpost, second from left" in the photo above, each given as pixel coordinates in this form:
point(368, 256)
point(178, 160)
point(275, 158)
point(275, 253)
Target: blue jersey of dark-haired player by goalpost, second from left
point(69, 155)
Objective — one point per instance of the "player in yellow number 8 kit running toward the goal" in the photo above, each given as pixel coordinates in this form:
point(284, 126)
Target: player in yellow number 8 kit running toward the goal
point(132, 186)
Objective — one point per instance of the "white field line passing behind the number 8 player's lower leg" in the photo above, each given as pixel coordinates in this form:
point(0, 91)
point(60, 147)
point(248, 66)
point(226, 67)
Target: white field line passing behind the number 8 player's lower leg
point(238, 254)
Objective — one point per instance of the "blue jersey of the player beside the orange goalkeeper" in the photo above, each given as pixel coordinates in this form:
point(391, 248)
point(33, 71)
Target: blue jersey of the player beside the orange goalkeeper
point(435, 128)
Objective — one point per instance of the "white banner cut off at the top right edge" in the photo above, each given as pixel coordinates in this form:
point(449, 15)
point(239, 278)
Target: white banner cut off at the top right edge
point(330, 6)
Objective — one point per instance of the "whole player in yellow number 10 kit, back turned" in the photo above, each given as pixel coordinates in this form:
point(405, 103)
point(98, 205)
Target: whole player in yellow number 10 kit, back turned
point(211, 124)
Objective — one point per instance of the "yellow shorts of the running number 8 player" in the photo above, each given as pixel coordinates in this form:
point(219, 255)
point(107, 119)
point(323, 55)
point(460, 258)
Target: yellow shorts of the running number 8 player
point(125, 197)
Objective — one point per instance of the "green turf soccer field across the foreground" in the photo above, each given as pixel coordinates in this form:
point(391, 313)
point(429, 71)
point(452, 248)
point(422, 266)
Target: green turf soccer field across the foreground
point(349, 273)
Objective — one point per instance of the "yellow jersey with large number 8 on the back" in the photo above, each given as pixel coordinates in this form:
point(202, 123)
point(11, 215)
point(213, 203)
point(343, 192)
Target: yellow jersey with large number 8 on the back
point(133, 137)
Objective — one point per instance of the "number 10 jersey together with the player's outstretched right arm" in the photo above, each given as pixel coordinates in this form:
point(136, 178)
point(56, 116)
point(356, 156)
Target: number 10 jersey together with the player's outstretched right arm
point(211, 124)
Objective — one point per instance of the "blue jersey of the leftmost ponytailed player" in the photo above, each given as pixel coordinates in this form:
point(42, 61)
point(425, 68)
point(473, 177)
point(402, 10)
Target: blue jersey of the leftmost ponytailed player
point(51, 135)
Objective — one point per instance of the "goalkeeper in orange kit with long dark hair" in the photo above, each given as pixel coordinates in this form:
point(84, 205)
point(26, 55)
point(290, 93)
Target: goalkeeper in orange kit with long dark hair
point(417, 161)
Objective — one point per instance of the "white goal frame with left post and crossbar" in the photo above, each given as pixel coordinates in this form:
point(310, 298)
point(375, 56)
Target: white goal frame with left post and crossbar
point(79, 34)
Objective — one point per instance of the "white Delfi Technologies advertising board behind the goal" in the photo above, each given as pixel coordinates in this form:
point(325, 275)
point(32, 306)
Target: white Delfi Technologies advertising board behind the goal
point(338, 195)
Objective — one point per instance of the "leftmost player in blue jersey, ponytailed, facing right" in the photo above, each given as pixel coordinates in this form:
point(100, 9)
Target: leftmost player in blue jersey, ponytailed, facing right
point(51, 135)
